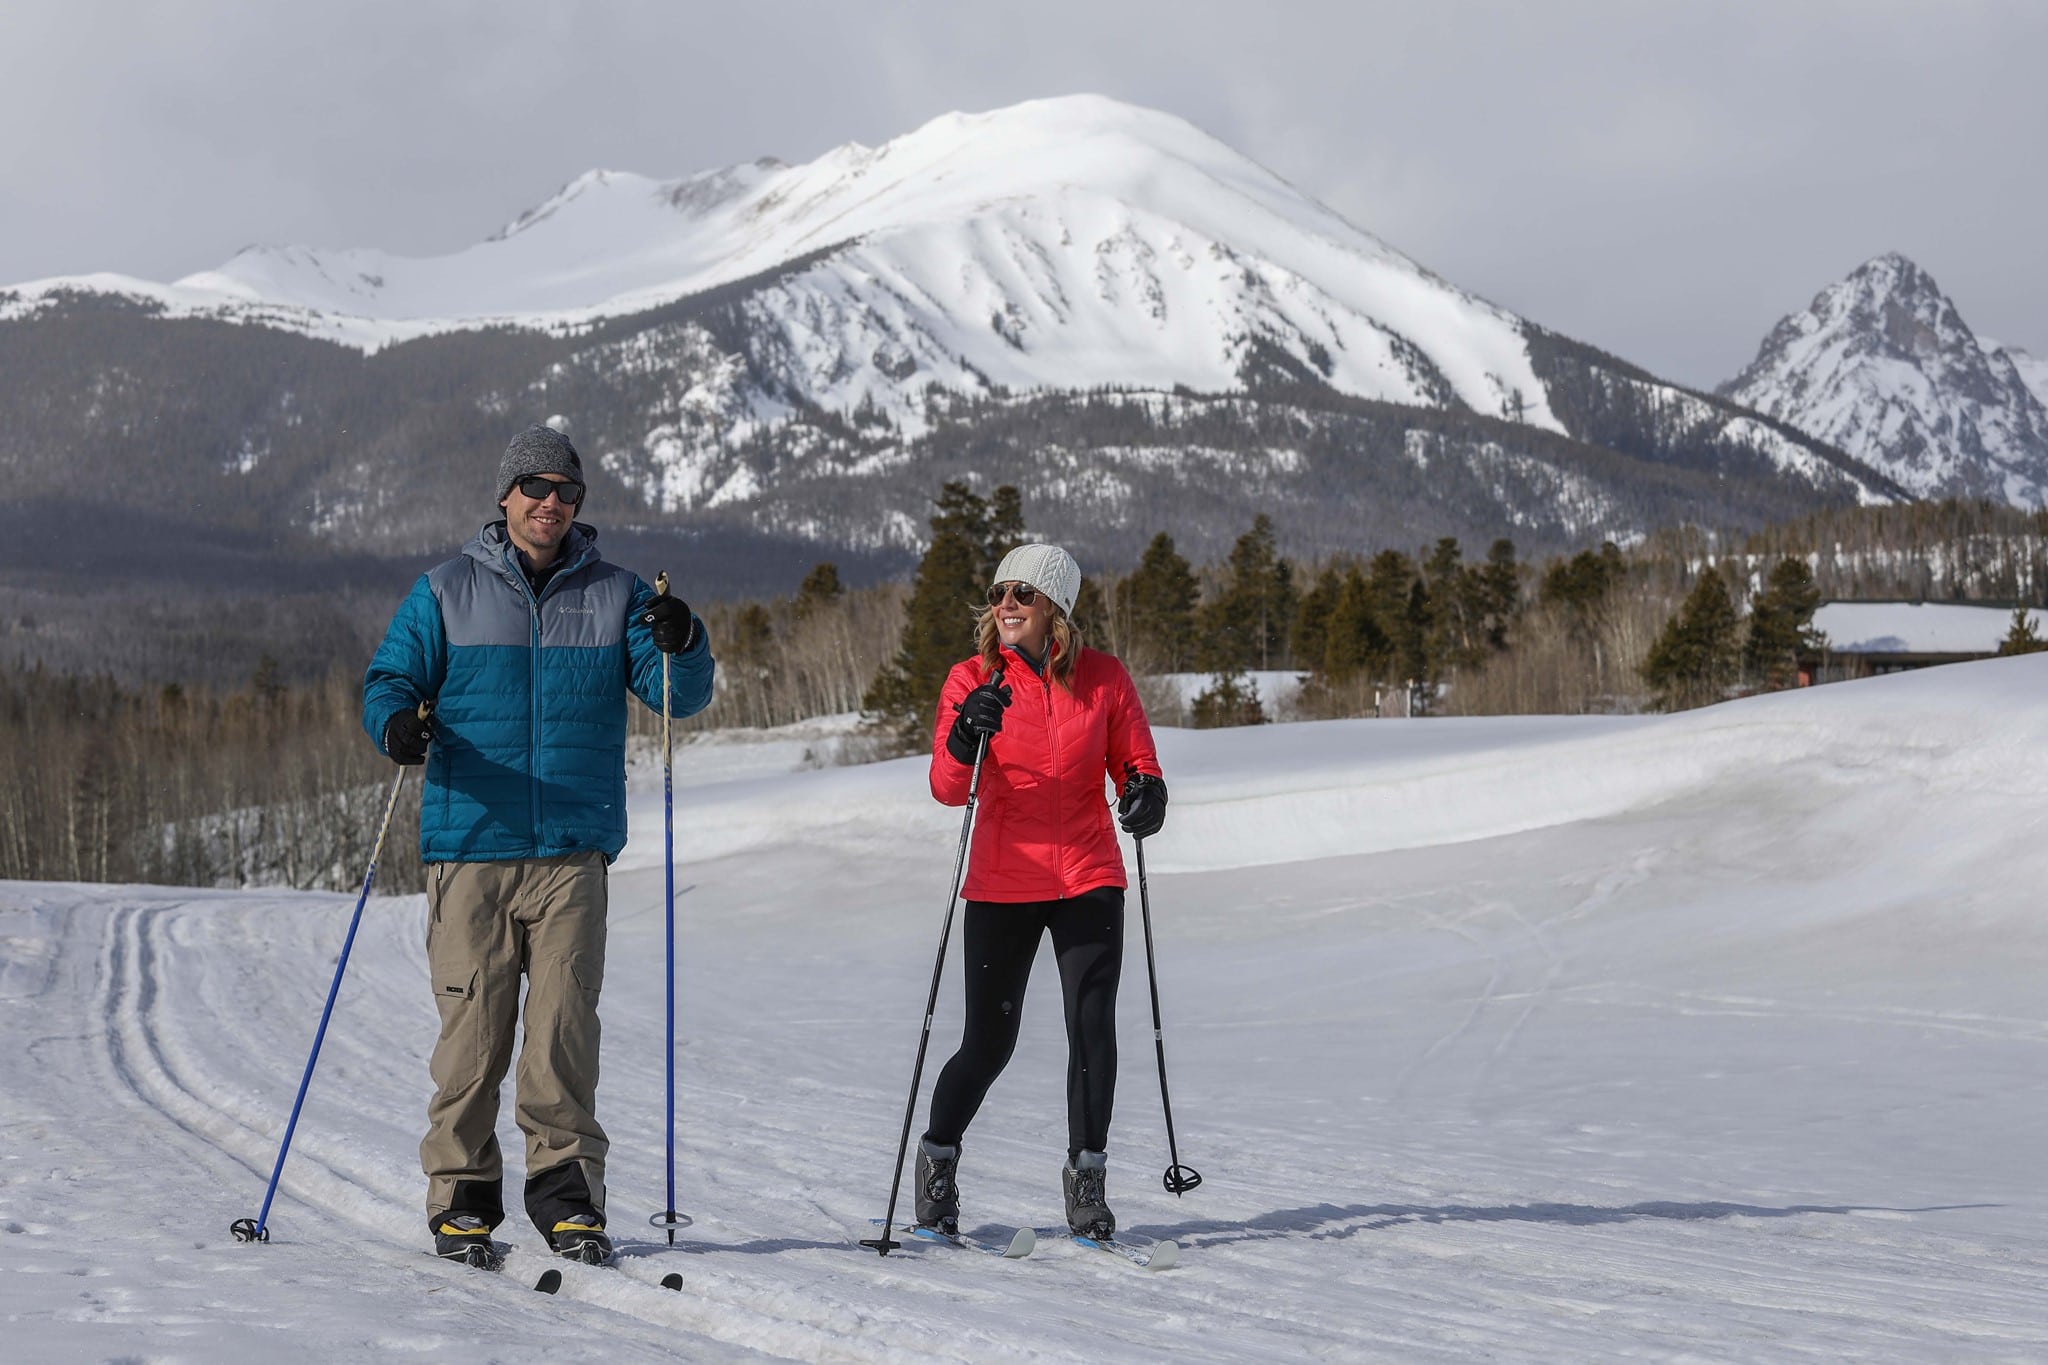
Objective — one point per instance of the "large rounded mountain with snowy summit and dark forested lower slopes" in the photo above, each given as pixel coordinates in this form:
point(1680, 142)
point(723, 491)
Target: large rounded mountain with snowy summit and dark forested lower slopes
point(1097, 302)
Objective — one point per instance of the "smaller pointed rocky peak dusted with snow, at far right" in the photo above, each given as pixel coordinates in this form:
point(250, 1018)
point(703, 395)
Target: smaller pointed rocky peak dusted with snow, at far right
point(1885, 367)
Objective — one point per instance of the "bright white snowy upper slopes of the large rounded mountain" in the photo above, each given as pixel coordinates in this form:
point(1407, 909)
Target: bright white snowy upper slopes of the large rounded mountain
point(1058, 245)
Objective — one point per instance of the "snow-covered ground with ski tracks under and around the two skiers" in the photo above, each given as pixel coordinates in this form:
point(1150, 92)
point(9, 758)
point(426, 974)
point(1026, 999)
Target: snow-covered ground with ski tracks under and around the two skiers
point(1713, 1037)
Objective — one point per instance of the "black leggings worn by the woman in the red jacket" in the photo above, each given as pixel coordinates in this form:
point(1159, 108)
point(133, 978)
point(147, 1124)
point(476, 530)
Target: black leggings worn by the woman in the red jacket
point(998, 944)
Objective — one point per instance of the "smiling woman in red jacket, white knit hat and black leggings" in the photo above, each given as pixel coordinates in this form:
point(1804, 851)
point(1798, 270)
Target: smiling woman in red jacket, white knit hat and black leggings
point(1046, 858)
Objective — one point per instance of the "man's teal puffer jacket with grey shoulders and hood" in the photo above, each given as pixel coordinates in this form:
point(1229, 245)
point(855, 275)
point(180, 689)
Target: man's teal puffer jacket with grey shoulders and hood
point(529, 699)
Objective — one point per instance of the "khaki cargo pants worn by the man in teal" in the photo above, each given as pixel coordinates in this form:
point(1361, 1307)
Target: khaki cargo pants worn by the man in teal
point(490, 924)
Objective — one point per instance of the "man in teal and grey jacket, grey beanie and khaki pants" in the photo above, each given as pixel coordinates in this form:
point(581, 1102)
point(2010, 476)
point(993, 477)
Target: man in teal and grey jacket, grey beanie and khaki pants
point(525, 648)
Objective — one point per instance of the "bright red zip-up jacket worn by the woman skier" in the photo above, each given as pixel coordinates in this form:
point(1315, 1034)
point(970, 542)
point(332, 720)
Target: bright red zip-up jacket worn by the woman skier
point(1043, 822)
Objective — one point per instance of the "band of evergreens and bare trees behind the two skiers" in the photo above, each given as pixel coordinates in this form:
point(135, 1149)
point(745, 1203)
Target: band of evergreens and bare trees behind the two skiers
point(271, 781)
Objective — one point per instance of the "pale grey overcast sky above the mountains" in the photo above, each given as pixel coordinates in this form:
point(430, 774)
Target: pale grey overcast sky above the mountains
point(1660, 179)
